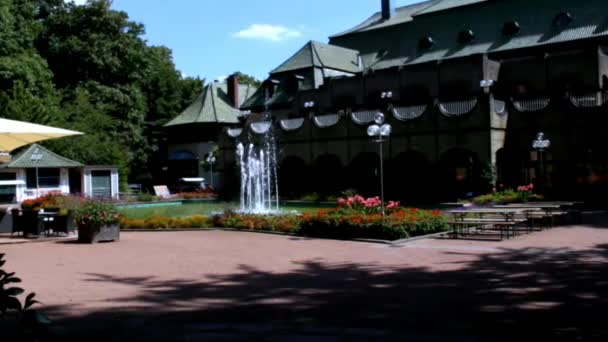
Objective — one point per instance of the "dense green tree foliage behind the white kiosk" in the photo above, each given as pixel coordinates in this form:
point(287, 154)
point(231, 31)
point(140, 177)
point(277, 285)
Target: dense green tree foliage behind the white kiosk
point(88, 68)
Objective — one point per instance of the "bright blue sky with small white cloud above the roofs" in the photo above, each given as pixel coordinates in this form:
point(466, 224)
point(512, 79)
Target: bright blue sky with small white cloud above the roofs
point(213, 38)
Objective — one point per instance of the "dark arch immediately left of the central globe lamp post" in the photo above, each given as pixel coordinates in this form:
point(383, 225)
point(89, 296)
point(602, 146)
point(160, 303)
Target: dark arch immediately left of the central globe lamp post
point(363, 172)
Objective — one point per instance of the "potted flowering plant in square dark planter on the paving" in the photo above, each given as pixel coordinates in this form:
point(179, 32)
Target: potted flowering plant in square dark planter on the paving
point(97, 221)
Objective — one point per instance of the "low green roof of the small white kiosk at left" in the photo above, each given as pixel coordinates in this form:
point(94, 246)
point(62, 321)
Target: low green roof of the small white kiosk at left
point(36, 156)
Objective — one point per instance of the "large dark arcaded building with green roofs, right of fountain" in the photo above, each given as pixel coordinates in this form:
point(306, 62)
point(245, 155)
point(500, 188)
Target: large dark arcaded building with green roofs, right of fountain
point(466, 85)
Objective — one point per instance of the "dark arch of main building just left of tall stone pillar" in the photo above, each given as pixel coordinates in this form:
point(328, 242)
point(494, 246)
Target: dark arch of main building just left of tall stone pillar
point(459, 174)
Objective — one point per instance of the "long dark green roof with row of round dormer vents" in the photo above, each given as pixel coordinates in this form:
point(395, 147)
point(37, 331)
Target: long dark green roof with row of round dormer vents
point(485, 19)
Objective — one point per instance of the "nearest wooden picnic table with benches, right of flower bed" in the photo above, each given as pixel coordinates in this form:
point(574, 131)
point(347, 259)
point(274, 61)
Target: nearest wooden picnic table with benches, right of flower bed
point(508, 215)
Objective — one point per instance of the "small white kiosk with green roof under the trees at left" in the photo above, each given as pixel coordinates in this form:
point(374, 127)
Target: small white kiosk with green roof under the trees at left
point(36, 171)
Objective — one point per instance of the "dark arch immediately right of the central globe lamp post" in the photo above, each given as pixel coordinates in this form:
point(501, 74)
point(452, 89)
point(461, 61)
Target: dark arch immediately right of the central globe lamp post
point(409, 178)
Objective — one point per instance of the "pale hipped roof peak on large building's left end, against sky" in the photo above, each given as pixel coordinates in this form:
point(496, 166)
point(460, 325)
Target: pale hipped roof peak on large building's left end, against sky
point(315, 54)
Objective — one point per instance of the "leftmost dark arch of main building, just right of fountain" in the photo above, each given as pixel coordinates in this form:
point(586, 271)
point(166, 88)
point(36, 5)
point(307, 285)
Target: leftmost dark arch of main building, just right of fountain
point(294, 176)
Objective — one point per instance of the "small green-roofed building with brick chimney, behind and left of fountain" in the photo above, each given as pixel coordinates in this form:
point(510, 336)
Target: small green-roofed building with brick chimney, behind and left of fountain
point(200, 130)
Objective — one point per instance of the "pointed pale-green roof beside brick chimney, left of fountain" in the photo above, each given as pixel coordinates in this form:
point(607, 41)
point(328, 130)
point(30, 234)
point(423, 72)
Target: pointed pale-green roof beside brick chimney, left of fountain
point(213, 106)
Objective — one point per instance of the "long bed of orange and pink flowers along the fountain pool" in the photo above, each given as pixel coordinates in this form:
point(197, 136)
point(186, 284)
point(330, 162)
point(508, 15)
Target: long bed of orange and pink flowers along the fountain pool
point(355, 218)
